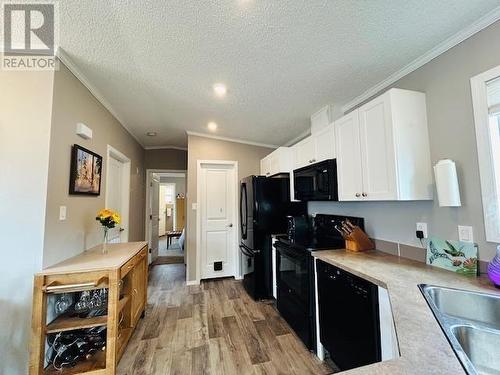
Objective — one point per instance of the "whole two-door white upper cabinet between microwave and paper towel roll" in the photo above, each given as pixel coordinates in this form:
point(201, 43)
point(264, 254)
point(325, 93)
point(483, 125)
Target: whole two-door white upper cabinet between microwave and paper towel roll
point(383, 149)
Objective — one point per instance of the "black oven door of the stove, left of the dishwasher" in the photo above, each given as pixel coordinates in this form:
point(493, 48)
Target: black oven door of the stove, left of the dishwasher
point(293, 294)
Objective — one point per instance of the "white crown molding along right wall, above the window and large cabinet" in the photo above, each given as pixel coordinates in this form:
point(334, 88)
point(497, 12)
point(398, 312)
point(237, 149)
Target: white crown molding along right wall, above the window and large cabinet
point(441, 48)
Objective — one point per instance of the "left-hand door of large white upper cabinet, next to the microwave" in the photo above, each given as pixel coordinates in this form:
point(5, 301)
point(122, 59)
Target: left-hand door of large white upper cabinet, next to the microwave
point(349, 169)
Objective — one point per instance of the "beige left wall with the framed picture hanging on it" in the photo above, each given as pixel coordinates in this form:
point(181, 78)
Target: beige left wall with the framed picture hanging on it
point(73, 103)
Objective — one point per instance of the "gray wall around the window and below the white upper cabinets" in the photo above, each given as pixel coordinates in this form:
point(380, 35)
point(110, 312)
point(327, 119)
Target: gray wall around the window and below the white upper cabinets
point(446, 81)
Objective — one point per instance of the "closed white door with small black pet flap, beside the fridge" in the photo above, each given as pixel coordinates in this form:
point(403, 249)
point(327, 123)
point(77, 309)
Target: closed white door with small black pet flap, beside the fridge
point(218, 220)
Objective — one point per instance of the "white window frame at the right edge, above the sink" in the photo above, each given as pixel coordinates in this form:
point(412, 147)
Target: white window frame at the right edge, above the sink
point(489, 193)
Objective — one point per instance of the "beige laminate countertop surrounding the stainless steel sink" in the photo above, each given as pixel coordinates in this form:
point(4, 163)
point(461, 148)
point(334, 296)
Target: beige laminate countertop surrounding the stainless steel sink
point(423, 346)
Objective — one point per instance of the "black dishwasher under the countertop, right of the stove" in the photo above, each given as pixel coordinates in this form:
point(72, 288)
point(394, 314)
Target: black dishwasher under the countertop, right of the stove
point(348, 317)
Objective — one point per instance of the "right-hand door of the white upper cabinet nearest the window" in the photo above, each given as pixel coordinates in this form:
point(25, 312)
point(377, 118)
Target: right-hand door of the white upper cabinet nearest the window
point(377, 150)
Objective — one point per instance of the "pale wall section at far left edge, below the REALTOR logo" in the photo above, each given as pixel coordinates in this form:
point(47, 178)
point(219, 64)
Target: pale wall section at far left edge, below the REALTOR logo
point(25, 120)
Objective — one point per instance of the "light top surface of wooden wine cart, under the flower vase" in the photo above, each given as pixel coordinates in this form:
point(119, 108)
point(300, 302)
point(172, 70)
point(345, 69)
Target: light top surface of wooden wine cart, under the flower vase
point(94, 259)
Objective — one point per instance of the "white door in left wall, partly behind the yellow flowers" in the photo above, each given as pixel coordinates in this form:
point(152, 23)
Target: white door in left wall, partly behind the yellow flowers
point(114, 197)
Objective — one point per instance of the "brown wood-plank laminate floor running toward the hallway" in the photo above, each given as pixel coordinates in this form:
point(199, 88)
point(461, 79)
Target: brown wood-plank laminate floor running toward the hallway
point(213, 328)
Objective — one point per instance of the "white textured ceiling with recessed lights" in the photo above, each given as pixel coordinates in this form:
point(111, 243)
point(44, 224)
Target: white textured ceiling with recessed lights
point(155, 61)
